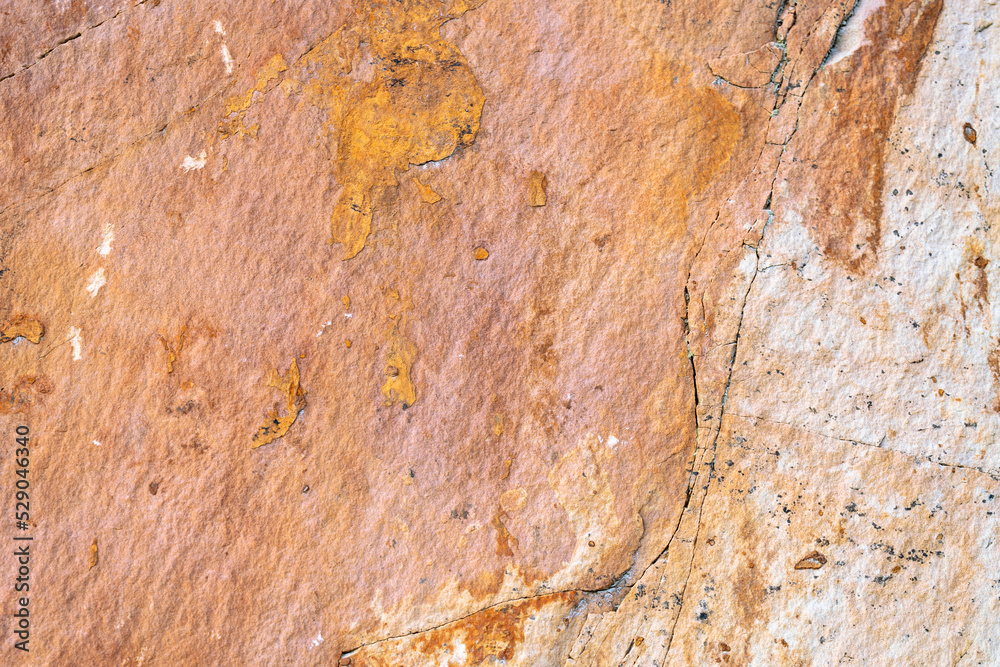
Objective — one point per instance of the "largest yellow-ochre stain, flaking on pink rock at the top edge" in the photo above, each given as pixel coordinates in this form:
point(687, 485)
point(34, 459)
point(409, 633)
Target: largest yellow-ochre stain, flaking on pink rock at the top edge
point(418, 103)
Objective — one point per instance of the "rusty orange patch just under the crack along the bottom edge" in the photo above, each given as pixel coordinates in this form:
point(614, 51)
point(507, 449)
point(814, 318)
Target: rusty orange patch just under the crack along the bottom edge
point(492, 634)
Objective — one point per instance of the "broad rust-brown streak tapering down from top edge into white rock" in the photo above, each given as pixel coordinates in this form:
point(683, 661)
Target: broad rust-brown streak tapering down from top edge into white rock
point(847, 129)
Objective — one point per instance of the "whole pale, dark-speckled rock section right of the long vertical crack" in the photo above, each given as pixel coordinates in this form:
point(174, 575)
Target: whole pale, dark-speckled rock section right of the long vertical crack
point(862, 416)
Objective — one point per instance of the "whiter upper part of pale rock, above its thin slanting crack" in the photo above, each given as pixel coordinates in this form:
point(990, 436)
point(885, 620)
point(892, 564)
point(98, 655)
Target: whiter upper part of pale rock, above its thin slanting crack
point(904, 357)
